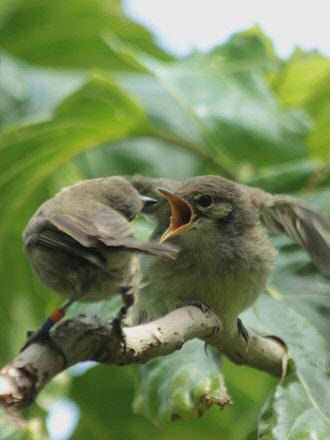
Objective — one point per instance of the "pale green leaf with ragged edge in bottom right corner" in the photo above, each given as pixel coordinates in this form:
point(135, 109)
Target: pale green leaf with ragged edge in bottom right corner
point(289, 413)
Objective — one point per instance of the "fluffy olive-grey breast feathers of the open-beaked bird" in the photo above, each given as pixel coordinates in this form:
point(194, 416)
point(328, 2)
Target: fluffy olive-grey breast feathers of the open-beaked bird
point(221, 275)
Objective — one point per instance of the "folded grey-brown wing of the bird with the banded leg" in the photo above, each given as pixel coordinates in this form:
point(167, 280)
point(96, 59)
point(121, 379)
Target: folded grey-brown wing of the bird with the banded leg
point(94, 229)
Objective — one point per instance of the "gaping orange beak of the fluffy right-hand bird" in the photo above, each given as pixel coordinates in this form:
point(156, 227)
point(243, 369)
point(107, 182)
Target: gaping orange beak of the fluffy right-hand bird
point(182, 215)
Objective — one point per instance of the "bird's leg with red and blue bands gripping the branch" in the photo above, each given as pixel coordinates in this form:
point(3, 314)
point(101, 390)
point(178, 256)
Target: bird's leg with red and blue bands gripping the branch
point(42, 334)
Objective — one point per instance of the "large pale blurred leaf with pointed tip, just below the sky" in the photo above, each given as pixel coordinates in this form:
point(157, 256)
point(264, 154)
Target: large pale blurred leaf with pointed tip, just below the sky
point(225, 95)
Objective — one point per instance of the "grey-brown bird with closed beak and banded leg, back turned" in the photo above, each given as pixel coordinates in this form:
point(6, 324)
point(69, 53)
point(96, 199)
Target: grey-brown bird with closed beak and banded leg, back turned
point(80, 242)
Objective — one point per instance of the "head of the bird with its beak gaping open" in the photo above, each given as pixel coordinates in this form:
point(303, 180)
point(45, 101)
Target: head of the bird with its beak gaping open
point(209, 203)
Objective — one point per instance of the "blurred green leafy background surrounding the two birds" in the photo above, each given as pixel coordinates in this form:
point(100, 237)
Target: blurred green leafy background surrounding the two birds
point(86, 92)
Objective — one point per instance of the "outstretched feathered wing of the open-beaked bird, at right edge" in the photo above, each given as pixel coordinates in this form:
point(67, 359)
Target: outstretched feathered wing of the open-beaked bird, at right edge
point(301, 224)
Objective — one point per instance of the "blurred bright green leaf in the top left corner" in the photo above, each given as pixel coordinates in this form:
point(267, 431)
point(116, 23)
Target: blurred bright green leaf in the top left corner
point(69, 34)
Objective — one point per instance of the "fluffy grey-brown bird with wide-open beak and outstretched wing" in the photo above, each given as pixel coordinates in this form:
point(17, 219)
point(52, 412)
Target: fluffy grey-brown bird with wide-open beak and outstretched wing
point(225, 257)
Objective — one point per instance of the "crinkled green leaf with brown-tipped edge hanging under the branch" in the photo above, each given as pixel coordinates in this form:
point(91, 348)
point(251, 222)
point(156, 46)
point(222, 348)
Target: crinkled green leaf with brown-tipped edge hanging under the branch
point(181, 386)
